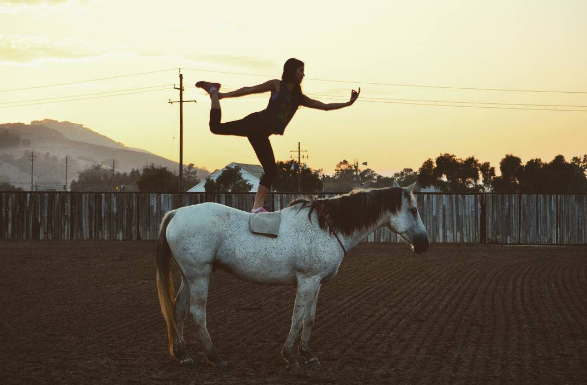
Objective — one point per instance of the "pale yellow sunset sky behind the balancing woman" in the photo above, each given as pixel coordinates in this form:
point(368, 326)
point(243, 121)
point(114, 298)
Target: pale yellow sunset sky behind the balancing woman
point(385, 47)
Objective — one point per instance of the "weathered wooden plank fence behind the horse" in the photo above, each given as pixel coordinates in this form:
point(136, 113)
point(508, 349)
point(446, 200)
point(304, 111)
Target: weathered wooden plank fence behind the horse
point(449, 218)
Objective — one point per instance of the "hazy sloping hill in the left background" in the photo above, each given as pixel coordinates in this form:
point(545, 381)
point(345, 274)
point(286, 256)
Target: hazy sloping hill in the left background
point(52, 141)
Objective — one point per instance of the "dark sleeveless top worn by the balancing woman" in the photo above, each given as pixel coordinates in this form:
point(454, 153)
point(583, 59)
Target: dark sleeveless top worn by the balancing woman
point(281, 108)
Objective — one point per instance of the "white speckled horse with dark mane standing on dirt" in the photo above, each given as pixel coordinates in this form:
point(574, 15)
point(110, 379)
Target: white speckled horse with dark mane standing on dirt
point(313, 239)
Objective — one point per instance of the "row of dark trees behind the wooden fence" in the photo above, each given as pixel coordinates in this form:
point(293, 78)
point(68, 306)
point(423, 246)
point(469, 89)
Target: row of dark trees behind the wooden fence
point(445, 173)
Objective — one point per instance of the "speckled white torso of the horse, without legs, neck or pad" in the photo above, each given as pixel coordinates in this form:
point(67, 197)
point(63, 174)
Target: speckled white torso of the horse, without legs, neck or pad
point(214, 234)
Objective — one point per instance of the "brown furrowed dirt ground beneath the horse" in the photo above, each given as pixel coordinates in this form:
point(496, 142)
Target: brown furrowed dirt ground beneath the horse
point(88, 313)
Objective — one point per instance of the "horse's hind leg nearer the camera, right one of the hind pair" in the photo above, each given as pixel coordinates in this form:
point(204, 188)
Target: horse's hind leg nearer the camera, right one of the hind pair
point(198, 299)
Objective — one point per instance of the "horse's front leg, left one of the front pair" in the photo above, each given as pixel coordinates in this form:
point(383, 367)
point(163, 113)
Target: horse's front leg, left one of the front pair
point(307, 288)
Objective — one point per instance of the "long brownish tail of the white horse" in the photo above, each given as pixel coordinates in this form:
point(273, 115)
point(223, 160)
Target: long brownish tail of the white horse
point(165, 280)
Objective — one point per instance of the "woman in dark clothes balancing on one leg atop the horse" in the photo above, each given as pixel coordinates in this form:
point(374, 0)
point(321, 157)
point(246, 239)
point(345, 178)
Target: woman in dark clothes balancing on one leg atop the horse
point(286, 98)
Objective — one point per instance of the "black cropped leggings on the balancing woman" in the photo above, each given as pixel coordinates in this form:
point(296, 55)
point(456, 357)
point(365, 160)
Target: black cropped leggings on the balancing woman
point(255, 130)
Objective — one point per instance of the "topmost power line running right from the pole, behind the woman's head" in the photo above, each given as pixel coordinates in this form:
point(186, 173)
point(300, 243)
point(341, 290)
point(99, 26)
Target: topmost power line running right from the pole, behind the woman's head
point(399, 84)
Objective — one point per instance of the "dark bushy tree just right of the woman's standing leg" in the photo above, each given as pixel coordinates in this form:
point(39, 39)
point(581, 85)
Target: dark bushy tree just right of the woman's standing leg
point(287, 178)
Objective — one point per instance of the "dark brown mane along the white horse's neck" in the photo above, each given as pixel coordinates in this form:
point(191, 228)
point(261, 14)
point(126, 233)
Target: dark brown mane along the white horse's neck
point(356, 210)
